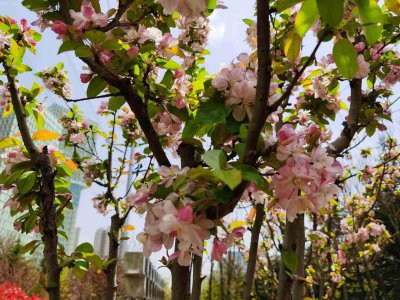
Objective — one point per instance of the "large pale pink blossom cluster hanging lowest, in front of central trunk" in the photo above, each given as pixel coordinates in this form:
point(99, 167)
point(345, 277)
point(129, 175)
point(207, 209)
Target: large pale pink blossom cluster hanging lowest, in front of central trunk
point(171, 219)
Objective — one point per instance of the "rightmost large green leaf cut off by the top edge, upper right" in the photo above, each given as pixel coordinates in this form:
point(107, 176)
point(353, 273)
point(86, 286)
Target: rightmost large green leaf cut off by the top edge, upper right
point(372, 19)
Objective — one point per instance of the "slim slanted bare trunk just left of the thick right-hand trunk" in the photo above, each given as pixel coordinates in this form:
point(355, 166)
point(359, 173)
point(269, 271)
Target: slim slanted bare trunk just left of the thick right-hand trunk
point(251, 265)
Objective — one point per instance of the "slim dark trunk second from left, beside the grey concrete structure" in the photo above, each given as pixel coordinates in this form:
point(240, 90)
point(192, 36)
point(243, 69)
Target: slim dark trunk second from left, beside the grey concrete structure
point(111, 271)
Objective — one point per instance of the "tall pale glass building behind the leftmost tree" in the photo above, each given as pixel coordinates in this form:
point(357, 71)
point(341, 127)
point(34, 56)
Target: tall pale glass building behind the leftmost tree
point(8, 127)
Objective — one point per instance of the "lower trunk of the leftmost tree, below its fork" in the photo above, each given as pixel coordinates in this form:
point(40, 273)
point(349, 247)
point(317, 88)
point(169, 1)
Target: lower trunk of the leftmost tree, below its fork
point(48, 222)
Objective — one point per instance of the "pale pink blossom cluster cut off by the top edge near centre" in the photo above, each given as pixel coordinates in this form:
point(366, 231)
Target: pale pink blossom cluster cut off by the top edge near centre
point(184, 7)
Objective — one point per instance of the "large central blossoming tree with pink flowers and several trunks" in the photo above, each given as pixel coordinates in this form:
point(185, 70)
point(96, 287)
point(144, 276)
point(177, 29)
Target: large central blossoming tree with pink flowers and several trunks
point(257, 131)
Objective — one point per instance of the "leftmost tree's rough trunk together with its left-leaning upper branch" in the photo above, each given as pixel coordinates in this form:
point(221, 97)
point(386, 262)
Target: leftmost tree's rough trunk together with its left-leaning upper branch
point(48, 214)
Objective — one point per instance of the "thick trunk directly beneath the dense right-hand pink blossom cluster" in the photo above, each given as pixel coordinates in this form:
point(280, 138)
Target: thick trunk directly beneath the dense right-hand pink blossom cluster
point(293, 241)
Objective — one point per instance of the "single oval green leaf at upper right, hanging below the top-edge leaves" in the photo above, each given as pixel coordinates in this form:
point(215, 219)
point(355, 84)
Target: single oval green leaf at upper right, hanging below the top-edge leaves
point(345, 56)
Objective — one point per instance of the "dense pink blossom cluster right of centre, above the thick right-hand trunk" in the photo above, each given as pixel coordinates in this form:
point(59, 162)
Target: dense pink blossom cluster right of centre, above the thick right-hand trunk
point(307, 179)
